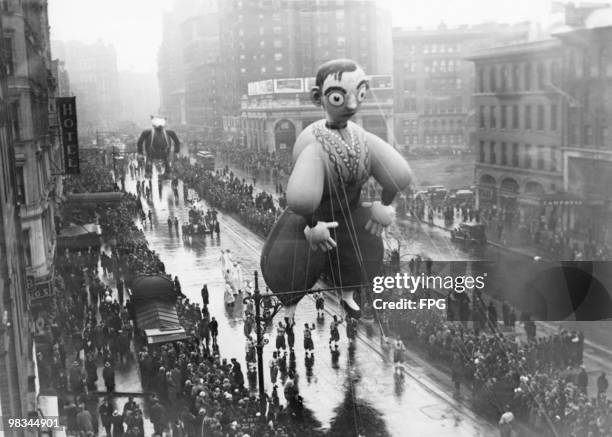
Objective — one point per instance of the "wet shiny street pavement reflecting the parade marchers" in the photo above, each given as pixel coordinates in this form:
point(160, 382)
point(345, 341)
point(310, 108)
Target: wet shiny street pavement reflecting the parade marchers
point(360, 385)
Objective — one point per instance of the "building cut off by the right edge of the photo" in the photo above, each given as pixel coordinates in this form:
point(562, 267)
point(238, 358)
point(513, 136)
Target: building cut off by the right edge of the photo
point(586, 158)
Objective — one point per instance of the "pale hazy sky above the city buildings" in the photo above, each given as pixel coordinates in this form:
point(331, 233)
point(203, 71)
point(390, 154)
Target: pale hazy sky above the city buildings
point(134, 26)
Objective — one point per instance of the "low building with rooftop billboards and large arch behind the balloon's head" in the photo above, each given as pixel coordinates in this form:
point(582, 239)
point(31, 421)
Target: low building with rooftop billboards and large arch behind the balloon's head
point(275, 111)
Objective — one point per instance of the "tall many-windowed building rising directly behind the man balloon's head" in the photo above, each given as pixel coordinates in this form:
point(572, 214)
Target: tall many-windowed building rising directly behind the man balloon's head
point(277, 39)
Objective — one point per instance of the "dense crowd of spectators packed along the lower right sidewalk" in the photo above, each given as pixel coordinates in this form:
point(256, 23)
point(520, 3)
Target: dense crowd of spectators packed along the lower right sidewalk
point(537, 377)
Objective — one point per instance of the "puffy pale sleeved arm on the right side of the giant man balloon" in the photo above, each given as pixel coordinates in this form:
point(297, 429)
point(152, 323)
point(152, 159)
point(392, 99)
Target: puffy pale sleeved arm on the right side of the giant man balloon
point(388, 167)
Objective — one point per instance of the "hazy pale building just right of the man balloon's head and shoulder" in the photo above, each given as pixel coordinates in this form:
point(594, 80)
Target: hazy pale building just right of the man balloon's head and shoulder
point(434, 82)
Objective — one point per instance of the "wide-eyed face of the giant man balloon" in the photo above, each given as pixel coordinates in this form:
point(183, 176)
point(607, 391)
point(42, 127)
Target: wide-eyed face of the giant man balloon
point(342, 98)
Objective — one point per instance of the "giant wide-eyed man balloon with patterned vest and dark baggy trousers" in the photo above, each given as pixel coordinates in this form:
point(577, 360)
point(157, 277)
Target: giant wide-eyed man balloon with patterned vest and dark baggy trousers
point(326, 230)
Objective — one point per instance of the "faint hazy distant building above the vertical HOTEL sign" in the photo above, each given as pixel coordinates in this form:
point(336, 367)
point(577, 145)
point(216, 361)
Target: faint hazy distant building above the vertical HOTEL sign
point(94, 80)
